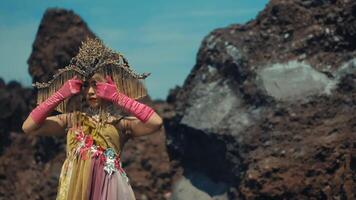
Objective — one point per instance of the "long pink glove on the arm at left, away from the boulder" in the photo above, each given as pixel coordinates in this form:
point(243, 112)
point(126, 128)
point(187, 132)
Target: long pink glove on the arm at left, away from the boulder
point(69, 88)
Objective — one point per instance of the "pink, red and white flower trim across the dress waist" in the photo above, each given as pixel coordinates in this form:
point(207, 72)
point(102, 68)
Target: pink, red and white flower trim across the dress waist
point(108, 156)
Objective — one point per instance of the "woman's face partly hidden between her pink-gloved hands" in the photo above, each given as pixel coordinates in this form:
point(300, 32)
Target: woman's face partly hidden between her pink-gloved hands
point(90, 90)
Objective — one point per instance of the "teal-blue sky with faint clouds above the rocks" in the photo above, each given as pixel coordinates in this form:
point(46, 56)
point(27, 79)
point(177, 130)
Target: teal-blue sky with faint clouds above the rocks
point(161, 37)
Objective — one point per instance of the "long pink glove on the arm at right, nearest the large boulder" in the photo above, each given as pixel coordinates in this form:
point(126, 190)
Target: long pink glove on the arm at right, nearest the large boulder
point(108, 91)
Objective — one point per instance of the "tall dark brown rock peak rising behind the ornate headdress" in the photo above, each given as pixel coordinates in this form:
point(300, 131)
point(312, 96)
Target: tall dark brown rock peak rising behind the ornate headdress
point(58, 39)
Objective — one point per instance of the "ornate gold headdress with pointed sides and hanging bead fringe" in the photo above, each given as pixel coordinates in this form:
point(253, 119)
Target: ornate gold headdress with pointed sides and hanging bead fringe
point(94, 57)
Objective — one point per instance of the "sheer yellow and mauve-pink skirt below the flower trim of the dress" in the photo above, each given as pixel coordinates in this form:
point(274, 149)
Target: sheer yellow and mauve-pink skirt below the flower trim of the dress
point(87, 180)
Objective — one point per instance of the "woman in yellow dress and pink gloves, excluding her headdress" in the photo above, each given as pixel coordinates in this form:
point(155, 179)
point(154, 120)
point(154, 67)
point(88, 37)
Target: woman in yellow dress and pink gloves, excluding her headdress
point(92, 169)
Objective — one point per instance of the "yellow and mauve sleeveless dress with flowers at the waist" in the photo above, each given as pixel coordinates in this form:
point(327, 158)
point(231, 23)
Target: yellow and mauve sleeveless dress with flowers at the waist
point(92, 168)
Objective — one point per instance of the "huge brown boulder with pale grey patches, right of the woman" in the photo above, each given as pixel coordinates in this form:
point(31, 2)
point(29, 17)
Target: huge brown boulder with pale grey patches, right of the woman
point(268, 110)
